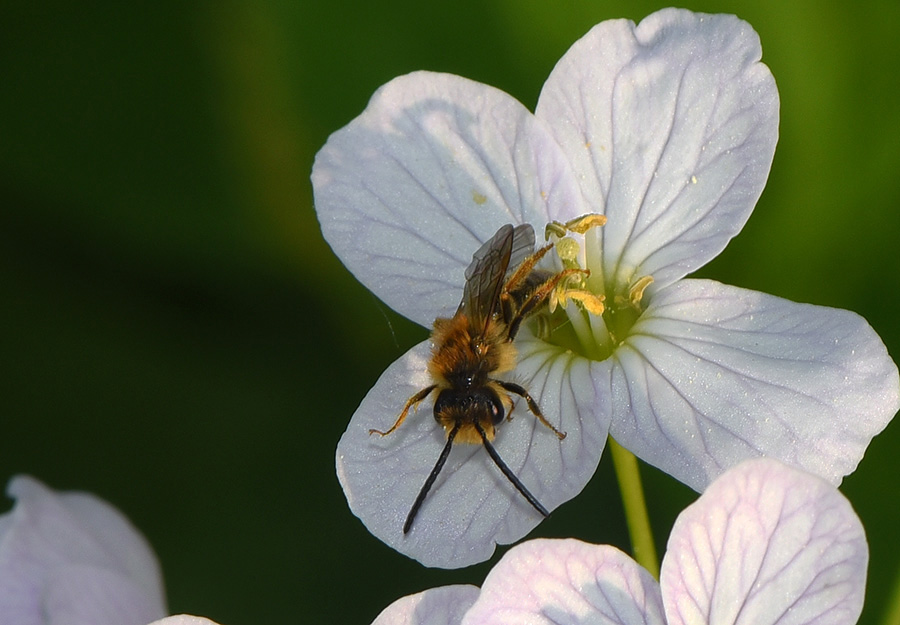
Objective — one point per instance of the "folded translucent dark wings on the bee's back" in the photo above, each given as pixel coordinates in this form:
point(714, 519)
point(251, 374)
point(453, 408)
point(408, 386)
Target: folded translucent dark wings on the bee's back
point(486, 273)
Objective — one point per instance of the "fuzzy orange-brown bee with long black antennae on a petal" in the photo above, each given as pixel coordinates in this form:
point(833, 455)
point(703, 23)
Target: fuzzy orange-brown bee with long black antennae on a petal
point(469, 350)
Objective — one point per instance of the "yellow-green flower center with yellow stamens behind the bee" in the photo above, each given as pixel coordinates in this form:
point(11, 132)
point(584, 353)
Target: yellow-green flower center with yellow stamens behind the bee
point(588, 315)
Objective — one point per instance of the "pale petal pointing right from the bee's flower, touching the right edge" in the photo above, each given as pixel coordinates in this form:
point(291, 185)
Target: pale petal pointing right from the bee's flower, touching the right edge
point(713, 374)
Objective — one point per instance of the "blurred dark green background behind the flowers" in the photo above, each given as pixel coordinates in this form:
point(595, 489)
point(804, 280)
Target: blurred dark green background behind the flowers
point(178, 338)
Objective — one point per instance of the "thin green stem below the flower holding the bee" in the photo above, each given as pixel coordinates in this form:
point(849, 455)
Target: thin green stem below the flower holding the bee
point(629, 476)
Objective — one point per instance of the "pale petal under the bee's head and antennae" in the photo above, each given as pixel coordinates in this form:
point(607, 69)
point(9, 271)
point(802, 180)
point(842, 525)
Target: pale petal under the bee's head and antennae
point(472, 507)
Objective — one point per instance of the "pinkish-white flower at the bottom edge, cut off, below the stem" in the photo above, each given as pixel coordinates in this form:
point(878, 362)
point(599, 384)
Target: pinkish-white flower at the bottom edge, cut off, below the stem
point(766, 544)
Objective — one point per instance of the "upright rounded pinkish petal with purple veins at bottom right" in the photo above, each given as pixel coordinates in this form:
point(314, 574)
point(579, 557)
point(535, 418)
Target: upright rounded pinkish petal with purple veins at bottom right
point(766, 544)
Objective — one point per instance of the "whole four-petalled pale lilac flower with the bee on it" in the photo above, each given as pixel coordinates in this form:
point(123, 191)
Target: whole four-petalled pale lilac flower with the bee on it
point(667, 128)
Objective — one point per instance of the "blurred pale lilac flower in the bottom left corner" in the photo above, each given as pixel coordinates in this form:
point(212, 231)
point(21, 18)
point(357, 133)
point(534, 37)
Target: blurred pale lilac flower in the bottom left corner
point(73, 558)
